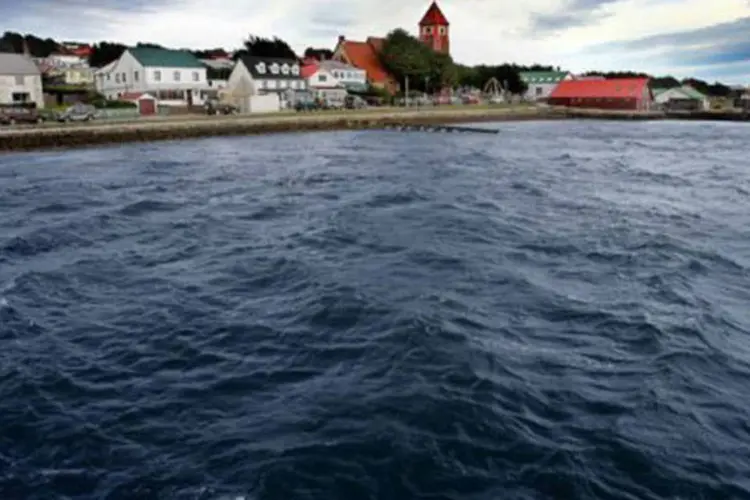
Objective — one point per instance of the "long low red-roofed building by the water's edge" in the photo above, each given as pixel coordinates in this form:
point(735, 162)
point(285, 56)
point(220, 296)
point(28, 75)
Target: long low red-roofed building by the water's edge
point(617, 93)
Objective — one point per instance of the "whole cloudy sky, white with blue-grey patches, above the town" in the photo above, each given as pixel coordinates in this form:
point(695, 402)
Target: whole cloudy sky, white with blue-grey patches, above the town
point(705, 38)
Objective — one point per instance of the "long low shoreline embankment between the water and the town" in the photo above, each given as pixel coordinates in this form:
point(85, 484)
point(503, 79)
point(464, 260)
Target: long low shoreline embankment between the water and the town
point(189, 127)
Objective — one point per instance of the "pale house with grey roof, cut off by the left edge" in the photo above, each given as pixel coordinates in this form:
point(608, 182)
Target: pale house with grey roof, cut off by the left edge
point(20, 80)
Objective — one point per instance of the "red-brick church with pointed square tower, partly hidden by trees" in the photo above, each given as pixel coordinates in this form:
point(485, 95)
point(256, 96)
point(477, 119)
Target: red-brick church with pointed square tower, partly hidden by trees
point(433, 30)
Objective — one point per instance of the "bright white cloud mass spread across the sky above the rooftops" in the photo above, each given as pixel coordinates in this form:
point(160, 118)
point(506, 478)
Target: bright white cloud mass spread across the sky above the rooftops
point(482, 31)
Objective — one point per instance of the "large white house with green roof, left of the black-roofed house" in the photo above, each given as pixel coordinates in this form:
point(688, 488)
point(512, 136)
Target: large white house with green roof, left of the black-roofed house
point(173, 77)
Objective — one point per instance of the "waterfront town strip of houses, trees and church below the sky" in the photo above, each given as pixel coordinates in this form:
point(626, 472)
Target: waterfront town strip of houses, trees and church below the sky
point(76, 81)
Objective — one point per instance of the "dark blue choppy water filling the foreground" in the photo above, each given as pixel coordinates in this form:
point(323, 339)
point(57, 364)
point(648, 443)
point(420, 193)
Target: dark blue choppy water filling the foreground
point(561, 311)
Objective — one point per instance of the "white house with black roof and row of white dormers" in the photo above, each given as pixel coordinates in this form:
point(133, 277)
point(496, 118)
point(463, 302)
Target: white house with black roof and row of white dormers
point(254, 76)
